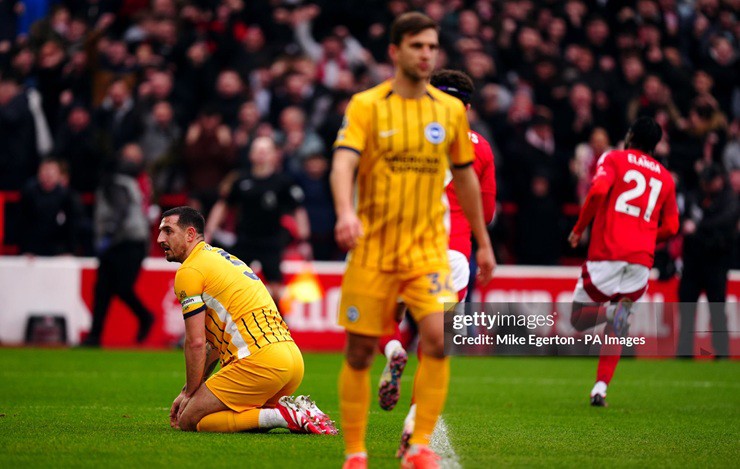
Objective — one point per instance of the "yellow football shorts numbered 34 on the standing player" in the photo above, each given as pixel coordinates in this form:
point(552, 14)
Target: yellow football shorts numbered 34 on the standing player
point(369, 297)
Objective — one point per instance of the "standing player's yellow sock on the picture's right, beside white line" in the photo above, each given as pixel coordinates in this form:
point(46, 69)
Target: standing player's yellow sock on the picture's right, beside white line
point(430, 393)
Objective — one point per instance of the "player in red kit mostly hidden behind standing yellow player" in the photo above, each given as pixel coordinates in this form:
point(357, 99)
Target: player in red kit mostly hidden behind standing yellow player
point(459, 85)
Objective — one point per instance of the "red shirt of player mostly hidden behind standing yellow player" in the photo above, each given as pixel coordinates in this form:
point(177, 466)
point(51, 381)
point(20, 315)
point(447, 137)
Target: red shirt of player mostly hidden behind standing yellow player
point(483, 166)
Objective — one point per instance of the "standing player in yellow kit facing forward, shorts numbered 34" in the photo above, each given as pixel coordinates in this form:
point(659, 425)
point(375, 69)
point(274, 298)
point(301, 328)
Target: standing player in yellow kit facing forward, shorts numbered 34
point(401, 137)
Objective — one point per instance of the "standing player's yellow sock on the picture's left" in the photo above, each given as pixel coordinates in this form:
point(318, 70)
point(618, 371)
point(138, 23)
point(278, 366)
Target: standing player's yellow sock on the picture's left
point(354, 404)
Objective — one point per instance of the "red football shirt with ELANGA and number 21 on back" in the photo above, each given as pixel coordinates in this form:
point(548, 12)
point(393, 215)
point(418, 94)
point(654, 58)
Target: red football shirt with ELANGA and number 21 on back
point(639, 195)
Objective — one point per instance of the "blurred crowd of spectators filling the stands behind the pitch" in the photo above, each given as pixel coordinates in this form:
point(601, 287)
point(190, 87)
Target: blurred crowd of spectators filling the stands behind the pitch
point(195, 82)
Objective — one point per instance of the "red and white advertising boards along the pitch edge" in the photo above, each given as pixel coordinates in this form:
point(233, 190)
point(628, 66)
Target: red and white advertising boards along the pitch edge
point(64, 287)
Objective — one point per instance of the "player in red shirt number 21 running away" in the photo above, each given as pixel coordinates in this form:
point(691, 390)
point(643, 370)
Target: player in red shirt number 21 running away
point(632, 202)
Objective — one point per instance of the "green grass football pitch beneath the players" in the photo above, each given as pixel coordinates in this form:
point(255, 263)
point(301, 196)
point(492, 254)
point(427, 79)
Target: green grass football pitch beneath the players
point(92, 408)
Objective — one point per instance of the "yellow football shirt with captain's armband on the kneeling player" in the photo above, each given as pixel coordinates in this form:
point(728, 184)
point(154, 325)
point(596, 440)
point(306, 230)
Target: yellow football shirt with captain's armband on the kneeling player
point(241, 315)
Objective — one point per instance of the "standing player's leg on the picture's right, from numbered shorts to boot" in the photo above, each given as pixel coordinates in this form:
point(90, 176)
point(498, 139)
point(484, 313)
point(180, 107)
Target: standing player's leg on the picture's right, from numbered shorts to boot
point(426, 293)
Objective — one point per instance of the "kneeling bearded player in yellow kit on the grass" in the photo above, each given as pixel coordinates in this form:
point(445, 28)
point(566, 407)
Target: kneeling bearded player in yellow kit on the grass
point(229, 315)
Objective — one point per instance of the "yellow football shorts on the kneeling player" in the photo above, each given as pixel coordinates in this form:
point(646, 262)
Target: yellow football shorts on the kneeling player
point(259, 380)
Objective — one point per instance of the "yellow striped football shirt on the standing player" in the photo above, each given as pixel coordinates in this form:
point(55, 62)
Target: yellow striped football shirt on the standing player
point(404, 147)
